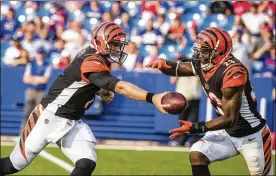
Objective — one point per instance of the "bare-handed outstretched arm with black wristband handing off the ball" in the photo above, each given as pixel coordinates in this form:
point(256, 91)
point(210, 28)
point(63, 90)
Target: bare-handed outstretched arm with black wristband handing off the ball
point(108, 82)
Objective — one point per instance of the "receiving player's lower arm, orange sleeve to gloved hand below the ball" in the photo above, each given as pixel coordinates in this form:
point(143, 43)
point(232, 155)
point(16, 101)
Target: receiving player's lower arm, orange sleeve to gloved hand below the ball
point(232, 89)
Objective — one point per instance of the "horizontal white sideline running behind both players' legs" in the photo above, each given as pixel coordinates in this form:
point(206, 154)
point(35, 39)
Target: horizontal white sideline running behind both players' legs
point(119, 147)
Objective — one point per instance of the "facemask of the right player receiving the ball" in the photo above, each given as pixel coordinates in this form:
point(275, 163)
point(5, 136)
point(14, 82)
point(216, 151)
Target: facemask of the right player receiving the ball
point(202, 57)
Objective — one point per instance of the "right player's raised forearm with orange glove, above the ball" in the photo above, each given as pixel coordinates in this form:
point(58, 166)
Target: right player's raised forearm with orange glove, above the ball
point(172, 68)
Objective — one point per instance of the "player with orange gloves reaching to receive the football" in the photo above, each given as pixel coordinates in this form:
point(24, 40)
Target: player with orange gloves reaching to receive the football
point(239, 128)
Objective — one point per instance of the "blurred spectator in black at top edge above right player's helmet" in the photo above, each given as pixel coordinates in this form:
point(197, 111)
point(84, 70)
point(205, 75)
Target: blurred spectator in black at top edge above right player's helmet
point(223, 7)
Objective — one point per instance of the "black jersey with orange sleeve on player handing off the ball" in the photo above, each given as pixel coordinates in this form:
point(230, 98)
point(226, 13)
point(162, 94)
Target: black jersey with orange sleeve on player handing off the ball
point(72, 93)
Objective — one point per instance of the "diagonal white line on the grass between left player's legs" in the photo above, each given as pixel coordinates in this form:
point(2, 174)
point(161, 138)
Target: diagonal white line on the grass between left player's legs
point(56, 160)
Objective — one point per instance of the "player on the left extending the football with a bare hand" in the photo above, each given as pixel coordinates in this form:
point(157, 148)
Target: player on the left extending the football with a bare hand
point(57, 118)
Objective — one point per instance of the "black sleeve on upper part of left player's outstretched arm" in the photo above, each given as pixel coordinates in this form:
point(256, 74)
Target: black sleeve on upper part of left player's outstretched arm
point(103, 80)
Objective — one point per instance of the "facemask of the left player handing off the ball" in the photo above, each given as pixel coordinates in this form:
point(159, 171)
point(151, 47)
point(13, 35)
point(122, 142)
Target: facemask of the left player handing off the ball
point(116, 51)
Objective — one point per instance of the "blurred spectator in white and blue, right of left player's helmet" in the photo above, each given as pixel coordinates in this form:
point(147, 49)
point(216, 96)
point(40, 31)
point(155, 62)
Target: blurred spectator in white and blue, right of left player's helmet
point(150, 35)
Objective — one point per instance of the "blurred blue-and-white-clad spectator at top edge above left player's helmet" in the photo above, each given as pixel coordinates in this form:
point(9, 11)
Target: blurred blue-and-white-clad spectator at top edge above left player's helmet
point(93, 10)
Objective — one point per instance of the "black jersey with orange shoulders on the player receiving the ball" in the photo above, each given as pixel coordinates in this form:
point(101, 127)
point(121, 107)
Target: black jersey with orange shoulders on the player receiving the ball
point(232, 73)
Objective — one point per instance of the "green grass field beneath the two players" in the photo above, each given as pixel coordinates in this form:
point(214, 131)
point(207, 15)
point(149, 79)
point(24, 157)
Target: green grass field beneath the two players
point(126, 162)
